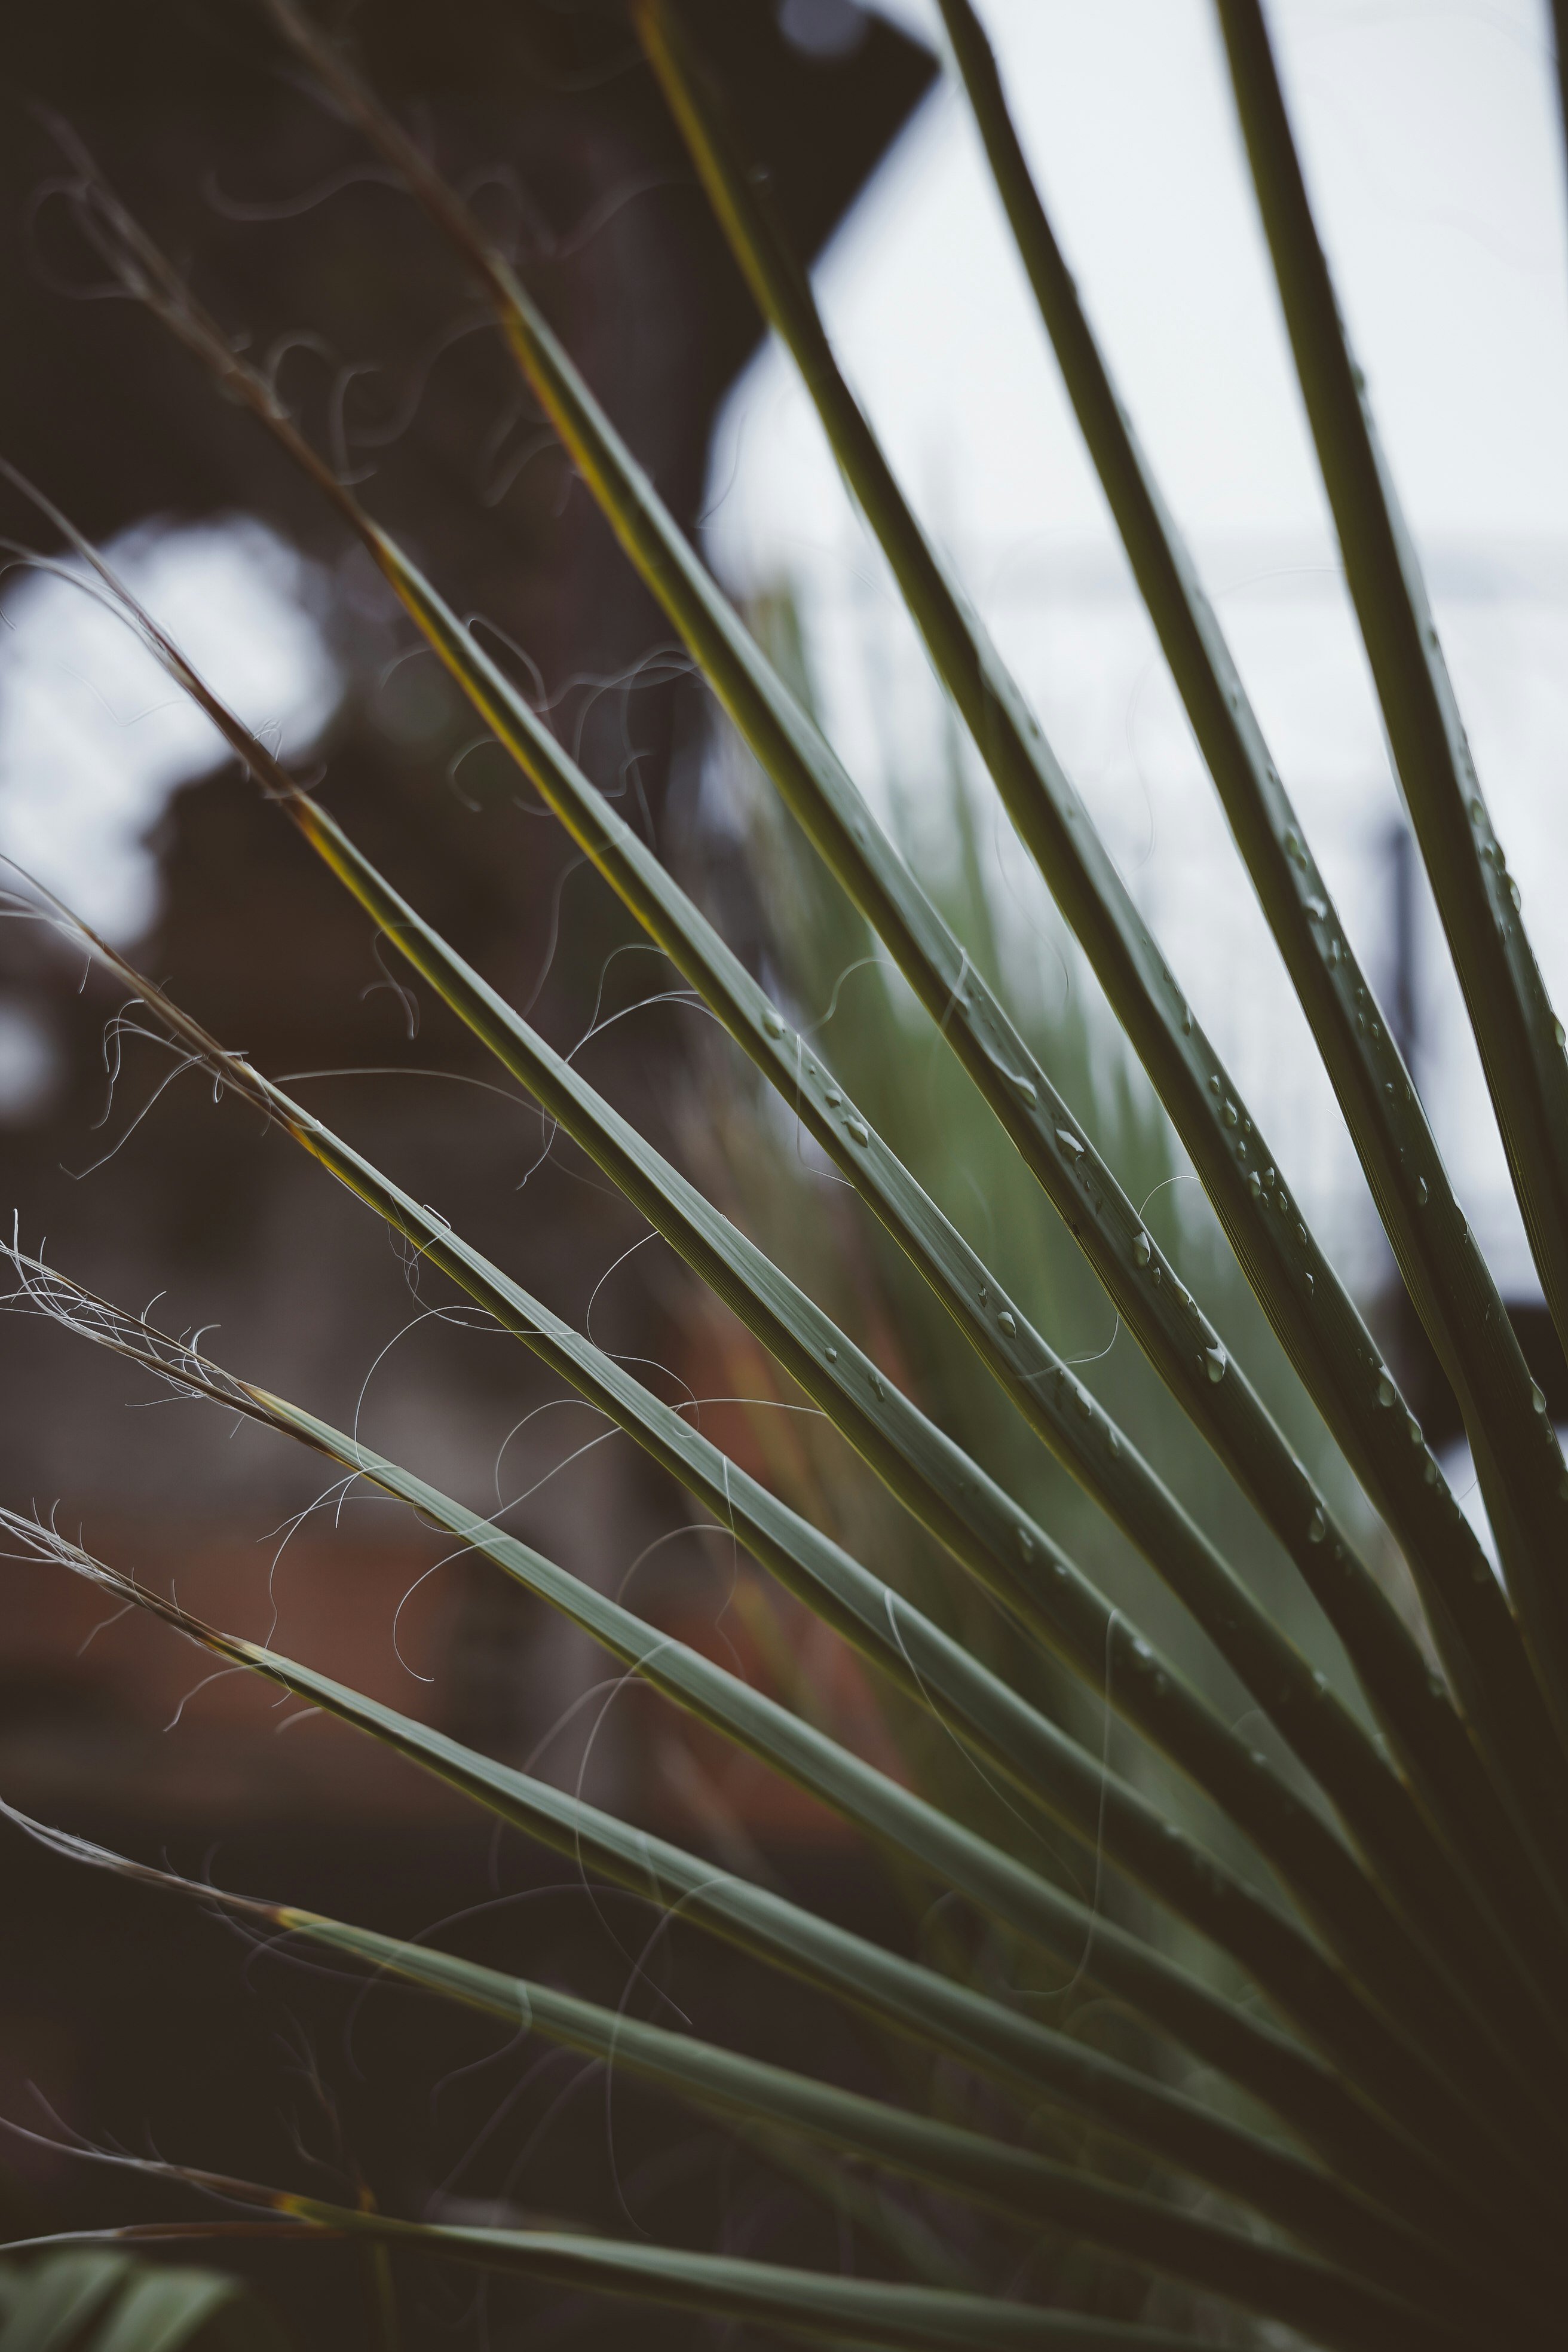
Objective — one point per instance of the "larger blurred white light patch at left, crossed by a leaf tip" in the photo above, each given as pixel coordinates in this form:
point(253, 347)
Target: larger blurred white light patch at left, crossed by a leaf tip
point(95, 737)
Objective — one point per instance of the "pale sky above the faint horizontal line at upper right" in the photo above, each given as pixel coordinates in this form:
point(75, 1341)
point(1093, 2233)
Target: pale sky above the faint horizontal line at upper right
point(1435, 161)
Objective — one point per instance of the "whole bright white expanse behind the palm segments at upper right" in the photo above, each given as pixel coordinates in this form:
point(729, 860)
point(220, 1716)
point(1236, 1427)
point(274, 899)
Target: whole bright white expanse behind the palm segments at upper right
point(1433, 149)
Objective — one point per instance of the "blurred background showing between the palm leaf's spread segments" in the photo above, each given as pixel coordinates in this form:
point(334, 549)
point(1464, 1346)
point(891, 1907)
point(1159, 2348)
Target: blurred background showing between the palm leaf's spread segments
point(1433, 140)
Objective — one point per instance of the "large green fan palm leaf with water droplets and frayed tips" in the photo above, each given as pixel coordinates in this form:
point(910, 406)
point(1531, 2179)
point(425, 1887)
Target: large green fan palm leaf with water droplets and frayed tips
point(1388, 2132)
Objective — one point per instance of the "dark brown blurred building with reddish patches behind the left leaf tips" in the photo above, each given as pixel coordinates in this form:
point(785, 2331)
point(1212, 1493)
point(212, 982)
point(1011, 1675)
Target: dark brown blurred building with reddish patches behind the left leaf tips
point(293, 236)
